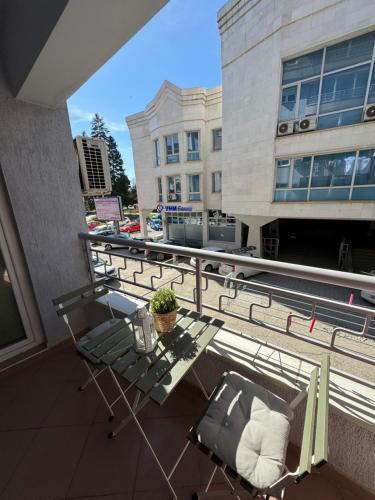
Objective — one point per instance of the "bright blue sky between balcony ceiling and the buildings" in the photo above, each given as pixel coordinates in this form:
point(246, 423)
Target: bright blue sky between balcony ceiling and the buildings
point(180, 44)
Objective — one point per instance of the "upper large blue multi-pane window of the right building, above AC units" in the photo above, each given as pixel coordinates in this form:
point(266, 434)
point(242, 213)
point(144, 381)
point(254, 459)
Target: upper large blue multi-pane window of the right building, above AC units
point(333, 84)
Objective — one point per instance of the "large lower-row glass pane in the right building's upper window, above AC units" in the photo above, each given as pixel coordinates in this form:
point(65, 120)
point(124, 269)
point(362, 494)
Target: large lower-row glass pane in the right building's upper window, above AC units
point(345, 89)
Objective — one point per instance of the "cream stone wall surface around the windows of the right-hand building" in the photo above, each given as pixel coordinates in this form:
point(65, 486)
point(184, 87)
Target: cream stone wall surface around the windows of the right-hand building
point(256, 37)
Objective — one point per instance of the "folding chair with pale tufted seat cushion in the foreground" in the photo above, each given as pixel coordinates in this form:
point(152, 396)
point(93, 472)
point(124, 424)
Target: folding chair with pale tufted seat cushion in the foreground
point(244, 430)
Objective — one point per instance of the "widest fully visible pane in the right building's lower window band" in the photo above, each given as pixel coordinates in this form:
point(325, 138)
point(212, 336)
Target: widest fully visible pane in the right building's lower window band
point(333, 170)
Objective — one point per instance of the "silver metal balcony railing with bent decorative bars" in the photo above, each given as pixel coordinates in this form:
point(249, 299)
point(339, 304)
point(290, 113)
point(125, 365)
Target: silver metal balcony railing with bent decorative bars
point(286, 311)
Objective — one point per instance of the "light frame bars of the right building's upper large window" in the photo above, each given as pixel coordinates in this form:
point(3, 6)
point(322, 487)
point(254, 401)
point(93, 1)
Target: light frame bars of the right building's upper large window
point(323, 74)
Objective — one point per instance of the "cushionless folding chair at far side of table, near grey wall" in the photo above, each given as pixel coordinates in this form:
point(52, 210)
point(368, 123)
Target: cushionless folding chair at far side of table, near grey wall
point(113, 327)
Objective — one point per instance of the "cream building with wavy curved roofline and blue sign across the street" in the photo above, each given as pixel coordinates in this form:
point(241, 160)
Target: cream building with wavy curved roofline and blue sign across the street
point(177, 156)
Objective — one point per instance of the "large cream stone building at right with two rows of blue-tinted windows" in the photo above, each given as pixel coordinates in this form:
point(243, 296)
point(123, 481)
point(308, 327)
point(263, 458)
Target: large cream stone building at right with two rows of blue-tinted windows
point(299, 119)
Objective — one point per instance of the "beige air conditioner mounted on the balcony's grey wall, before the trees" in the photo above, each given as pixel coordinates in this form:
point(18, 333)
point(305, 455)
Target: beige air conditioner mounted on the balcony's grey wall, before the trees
point(93, 166)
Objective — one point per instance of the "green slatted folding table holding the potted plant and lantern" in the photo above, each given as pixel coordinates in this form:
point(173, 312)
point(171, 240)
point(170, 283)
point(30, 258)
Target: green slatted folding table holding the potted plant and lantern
point(154, 375)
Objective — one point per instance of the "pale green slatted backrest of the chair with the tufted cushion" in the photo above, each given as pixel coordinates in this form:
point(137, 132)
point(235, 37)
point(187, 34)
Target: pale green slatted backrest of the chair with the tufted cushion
point(314, 448)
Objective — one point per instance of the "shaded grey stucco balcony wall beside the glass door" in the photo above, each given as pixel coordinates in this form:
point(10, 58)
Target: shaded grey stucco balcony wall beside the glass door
point(40, 171)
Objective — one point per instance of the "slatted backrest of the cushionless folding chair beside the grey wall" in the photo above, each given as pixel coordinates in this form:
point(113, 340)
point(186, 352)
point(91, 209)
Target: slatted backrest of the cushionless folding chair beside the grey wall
point(79, 297)
